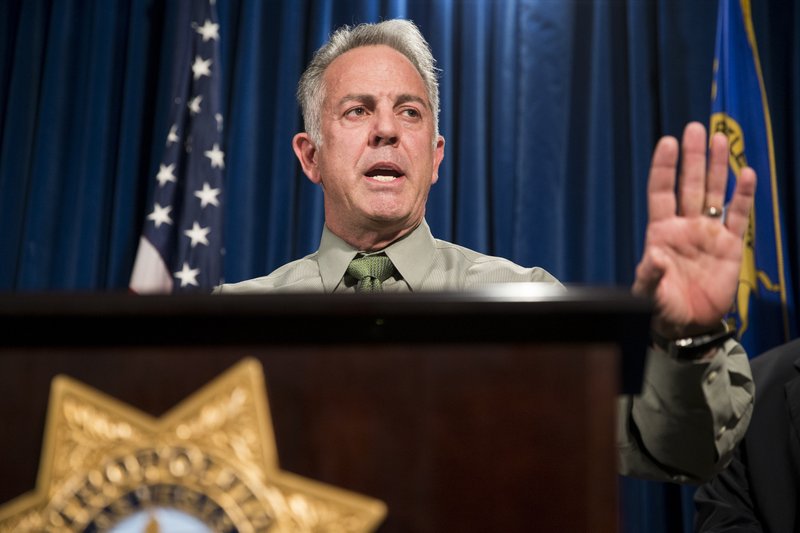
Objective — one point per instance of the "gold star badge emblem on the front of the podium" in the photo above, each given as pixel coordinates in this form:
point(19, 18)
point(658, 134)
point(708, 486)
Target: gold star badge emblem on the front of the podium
point(212, 458)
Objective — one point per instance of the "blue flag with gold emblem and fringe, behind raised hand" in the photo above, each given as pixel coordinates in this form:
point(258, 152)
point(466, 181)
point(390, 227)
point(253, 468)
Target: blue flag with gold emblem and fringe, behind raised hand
point(762, 313)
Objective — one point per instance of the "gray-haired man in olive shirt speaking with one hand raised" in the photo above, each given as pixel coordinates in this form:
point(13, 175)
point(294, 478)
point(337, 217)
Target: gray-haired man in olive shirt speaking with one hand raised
point(370, 104)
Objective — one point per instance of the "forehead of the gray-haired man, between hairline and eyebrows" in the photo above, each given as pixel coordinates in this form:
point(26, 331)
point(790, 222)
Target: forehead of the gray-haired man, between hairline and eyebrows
point(373, 70)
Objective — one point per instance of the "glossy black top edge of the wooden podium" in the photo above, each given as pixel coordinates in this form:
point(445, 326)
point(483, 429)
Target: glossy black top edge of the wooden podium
point(510, 298)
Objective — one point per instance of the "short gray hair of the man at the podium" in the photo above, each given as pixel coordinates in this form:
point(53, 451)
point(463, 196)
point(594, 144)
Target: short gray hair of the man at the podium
point(401, 35)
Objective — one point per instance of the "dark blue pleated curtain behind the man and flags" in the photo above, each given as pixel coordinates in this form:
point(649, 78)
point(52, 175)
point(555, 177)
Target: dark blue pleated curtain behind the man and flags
point(551, 109)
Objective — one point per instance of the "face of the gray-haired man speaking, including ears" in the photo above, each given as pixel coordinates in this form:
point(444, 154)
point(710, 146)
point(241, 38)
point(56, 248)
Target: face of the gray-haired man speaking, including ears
point(378, 159)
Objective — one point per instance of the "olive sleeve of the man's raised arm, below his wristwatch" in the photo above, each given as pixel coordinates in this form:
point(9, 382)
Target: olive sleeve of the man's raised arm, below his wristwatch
point(688, 418)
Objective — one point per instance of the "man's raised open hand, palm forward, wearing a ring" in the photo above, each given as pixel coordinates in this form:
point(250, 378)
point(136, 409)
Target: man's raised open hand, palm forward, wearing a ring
point(692, 254)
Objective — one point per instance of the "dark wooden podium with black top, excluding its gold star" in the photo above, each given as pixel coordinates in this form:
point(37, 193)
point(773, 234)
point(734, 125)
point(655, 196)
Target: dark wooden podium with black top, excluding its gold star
point(482, 411)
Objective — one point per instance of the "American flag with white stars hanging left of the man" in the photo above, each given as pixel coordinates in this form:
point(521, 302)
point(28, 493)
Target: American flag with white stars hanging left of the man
point(180, 248)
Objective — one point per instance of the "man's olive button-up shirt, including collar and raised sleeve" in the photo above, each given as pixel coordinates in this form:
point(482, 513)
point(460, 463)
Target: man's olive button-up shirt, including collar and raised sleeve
point(682, 427)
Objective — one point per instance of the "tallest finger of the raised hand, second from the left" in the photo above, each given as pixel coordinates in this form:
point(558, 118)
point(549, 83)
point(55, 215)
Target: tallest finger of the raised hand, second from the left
point(692, 178)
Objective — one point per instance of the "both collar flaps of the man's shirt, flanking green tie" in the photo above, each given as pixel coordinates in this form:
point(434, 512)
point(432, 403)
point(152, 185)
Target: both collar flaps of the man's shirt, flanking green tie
point(412, 257)
